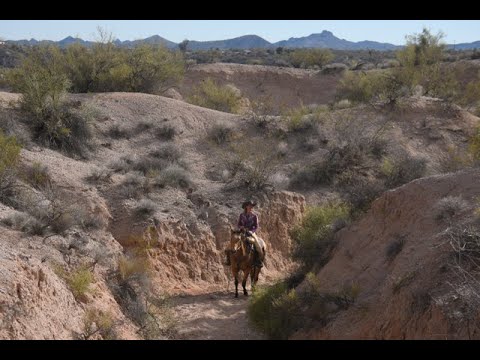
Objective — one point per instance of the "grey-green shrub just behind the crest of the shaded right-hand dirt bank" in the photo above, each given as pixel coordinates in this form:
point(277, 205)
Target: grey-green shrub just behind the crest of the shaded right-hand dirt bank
point(402, 169)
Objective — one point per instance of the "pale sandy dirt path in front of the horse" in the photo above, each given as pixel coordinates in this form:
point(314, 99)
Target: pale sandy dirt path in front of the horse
point(214, 316)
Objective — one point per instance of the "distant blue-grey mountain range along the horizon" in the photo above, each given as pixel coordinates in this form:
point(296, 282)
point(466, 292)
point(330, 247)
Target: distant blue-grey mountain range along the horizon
point(325, 39)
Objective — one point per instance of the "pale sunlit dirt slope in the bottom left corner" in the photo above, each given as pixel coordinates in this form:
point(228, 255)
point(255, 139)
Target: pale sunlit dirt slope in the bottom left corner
point(34, 302)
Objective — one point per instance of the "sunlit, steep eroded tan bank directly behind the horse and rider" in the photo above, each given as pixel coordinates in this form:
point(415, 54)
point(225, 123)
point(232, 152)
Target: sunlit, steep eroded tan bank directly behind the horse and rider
point(189, 255)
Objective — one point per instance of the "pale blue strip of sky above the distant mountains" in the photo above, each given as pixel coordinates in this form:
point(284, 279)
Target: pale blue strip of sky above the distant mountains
point(392, 31)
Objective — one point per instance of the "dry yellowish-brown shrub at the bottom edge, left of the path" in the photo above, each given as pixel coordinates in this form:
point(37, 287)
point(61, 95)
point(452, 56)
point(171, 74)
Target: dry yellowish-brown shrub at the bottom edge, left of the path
point(98, 322)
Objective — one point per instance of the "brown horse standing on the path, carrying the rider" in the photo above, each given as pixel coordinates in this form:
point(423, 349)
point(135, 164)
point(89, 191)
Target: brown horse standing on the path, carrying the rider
point(242, 258)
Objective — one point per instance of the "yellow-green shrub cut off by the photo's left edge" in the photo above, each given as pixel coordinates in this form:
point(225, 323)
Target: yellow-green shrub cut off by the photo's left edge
point(9, 156)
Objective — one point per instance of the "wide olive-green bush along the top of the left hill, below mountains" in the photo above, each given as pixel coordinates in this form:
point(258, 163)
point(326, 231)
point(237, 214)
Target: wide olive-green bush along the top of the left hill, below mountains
point(105, 67)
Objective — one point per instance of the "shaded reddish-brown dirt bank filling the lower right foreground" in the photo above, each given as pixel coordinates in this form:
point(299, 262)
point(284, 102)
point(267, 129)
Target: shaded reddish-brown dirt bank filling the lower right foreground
point(414, 295)
